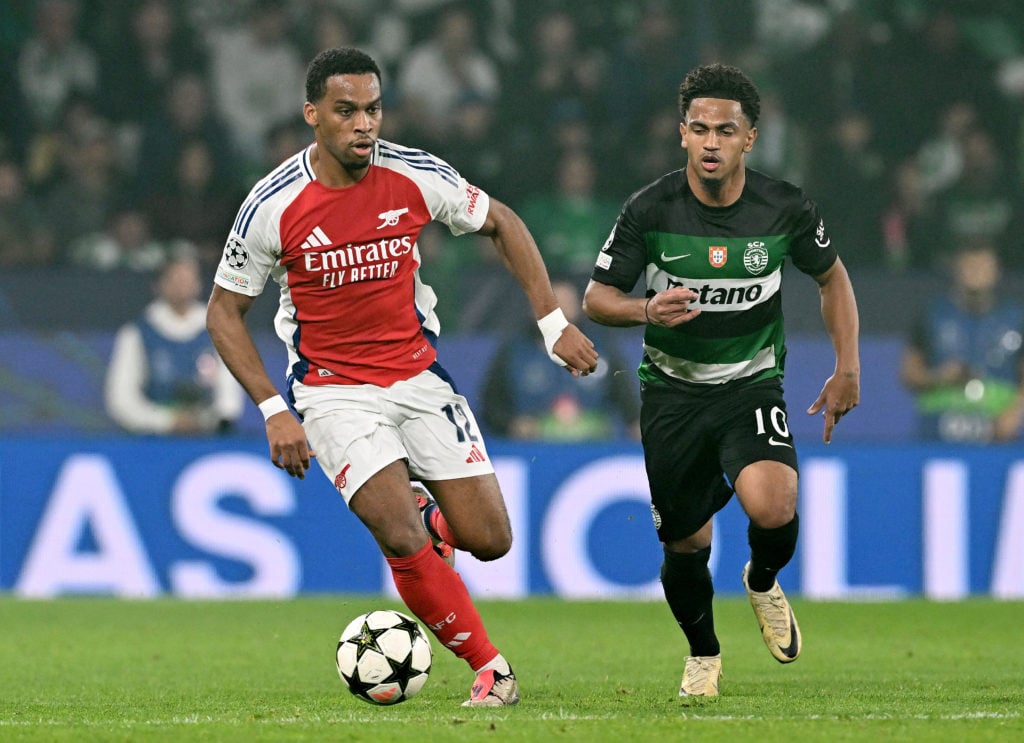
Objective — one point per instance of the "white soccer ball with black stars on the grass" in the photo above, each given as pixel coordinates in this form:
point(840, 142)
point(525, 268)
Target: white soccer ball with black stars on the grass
point(385, 658)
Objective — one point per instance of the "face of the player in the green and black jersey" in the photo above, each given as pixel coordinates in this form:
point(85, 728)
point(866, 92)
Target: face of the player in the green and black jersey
point(716, 137)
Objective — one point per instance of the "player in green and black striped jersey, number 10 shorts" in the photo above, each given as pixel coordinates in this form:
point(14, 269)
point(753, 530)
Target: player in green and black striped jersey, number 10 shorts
point(711, 241)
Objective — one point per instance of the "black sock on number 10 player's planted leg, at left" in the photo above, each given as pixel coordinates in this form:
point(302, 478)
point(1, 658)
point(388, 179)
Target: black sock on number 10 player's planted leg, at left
point(690, 591)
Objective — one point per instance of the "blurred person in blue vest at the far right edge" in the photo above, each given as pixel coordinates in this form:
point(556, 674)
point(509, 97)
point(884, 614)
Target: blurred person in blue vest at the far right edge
point(964, 361)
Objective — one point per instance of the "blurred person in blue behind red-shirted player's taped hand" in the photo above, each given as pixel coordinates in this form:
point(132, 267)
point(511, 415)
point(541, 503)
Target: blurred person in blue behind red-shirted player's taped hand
point(523, 400)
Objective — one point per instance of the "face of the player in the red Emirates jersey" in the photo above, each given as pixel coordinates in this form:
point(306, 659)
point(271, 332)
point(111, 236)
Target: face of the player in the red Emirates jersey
point(347, 121)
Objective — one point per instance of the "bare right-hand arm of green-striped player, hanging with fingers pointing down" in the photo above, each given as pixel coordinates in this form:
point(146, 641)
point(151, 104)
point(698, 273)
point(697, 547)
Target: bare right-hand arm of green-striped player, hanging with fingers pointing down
point(839, 310)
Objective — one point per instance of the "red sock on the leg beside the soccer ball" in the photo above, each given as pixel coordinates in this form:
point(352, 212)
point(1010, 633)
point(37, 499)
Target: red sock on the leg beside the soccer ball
point(436, 594)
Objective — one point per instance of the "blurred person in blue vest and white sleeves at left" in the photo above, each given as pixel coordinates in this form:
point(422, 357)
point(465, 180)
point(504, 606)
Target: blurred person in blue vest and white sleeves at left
point(165, 376)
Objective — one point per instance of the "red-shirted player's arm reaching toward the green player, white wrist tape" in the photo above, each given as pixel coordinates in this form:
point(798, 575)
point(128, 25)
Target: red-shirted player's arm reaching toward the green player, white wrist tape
point(520, 253)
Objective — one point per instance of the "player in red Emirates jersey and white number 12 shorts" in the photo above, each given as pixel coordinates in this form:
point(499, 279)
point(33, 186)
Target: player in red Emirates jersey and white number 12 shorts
point(336, 228)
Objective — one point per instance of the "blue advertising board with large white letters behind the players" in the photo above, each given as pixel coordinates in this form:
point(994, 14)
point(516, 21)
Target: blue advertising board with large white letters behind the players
point(142, 518)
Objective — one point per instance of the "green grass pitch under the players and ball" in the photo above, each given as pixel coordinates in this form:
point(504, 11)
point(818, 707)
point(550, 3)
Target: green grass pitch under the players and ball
point(102, 670)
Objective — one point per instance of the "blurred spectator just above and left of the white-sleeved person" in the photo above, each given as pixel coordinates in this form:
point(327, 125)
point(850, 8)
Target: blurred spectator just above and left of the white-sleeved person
point(126, 244)
